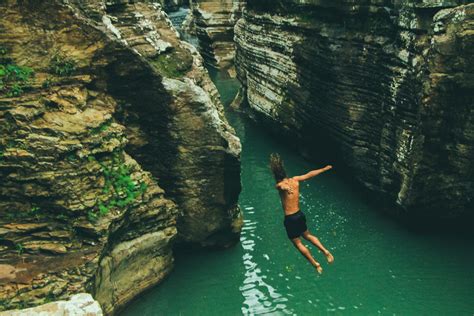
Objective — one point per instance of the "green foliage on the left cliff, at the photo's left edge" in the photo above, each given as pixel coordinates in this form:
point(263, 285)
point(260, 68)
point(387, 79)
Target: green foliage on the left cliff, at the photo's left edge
point(14, 79)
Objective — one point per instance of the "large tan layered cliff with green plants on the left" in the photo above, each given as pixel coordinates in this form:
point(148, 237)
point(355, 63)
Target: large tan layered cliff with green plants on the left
point(98, 105)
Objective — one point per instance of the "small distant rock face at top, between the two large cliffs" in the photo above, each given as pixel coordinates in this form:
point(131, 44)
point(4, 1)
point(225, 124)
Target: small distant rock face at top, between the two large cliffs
point(213, 22)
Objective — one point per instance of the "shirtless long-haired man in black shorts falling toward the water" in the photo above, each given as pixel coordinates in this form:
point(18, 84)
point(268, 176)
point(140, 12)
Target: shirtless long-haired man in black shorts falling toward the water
point(295, 221)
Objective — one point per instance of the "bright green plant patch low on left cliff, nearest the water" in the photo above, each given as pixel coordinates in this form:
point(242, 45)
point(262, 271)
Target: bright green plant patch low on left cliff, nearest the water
point(119, 184)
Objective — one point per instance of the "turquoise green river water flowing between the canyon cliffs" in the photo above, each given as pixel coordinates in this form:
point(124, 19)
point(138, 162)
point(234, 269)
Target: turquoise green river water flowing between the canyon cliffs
point(380, 267)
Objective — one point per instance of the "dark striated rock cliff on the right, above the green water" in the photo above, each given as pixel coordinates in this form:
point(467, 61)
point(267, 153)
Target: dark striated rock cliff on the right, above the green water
point(386, 86)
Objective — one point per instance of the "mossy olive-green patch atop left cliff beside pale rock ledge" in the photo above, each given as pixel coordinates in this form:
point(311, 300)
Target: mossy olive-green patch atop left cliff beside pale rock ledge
point(175, 64)
